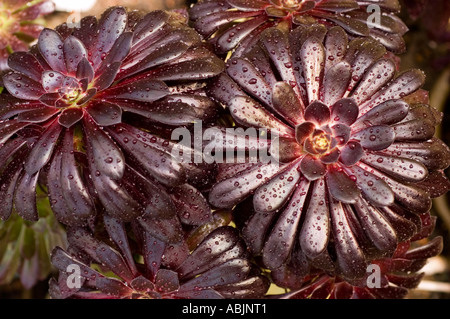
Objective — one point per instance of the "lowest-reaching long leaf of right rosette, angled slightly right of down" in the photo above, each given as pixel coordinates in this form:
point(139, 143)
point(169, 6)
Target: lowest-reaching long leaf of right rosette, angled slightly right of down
point(350, 256)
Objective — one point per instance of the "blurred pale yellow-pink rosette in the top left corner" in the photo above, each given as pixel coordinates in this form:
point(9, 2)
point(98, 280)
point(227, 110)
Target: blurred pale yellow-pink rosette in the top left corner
point(19, 25)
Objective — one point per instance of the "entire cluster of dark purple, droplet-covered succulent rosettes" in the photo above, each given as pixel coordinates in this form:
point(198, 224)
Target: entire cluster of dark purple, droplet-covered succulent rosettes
point(88, 116)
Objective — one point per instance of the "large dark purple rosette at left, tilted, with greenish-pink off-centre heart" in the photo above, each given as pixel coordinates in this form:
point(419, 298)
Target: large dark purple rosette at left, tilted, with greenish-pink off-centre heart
point(84, 114)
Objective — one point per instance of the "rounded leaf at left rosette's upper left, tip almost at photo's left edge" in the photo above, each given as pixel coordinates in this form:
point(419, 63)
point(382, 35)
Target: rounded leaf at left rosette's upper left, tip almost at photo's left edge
point(22, 87)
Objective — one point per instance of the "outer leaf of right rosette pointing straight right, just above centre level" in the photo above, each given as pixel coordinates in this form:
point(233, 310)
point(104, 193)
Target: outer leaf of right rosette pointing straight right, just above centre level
point(415, 130)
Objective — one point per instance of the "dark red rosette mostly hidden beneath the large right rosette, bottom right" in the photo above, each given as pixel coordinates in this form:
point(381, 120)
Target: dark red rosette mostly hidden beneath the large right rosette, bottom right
point(398, 274)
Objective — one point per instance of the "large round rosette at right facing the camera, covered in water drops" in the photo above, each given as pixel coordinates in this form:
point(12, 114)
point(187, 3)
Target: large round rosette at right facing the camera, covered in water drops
point(356, 161)
